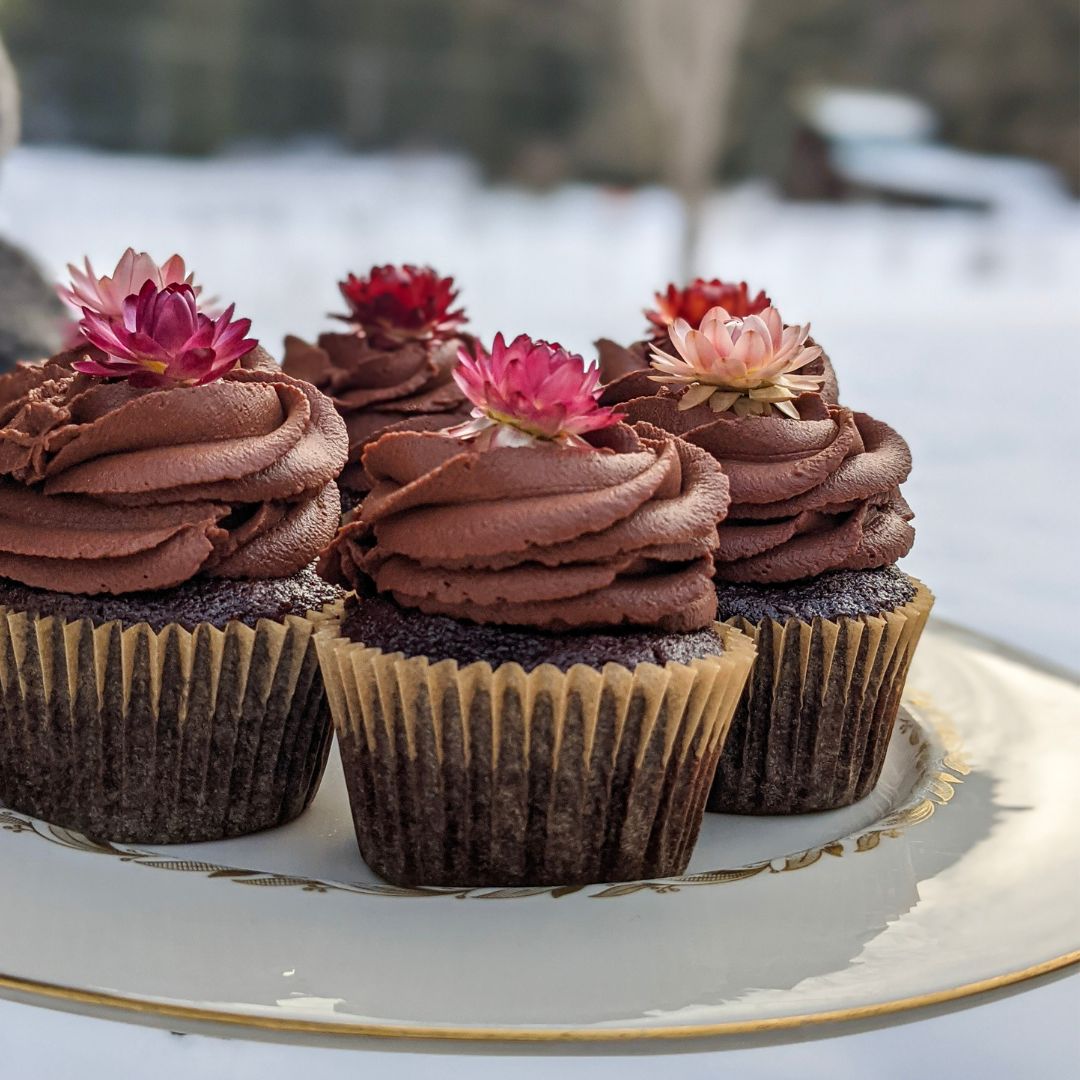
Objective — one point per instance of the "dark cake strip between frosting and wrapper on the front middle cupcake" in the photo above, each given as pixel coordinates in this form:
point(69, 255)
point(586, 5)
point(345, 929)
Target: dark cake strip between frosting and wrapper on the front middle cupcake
point(381, 624)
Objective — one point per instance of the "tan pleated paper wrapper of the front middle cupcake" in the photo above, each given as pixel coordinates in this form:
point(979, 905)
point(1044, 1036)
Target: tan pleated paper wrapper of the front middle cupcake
point(480, 777)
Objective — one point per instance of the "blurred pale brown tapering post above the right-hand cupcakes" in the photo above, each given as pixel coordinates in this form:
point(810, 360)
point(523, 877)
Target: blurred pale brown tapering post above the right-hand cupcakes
point(687, 53)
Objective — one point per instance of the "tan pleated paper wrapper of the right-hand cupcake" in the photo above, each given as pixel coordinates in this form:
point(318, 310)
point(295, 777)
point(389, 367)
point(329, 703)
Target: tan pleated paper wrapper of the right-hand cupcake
point(814, 726)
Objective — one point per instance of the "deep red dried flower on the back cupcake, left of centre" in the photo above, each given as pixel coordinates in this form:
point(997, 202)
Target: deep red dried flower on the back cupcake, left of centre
point(395, 305)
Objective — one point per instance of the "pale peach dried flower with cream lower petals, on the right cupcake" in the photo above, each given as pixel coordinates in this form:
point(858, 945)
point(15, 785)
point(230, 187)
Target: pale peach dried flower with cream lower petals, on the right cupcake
point(741, 364)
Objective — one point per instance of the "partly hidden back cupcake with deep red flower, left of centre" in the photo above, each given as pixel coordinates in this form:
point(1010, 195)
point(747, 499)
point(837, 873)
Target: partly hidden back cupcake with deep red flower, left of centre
point(391, 371)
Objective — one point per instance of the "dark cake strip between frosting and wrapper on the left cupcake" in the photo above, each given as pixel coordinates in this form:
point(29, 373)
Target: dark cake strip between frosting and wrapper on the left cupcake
point(215, 601)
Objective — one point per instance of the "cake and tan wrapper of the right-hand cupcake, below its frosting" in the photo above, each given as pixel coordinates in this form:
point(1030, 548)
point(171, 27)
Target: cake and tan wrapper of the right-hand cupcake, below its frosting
point(814, 725)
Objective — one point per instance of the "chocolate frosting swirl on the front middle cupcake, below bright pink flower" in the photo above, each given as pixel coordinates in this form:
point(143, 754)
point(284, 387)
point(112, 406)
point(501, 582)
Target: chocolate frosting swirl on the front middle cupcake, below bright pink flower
point(543, 537)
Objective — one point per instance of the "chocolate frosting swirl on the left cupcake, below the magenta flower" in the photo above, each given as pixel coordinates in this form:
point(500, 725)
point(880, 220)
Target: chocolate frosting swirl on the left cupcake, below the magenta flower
point(107, 489)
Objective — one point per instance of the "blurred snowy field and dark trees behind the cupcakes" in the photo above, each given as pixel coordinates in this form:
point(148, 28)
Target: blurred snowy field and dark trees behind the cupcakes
point(903, 175)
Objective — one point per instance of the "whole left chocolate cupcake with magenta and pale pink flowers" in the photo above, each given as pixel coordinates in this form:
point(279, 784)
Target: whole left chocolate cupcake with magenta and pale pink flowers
point(164, 494)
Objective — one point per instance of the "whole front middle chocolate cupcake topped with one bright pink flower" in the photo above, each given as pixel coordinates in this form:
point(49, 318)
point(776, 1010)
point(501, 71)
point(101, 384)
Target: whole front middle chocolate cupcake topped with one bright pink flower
point(532, 687)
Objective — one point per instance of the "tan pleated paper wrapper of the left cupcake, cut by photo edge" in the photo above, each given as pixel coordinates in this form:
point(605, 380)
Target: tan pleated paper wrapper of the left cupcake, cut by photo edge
point(160, 737)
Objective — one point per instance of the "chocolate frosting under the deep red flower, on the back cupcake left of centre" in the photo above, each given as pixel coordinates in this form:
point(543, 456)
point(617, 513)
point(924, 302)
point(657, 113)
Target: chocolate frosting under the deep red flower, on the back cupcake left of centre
point(379, 390)
